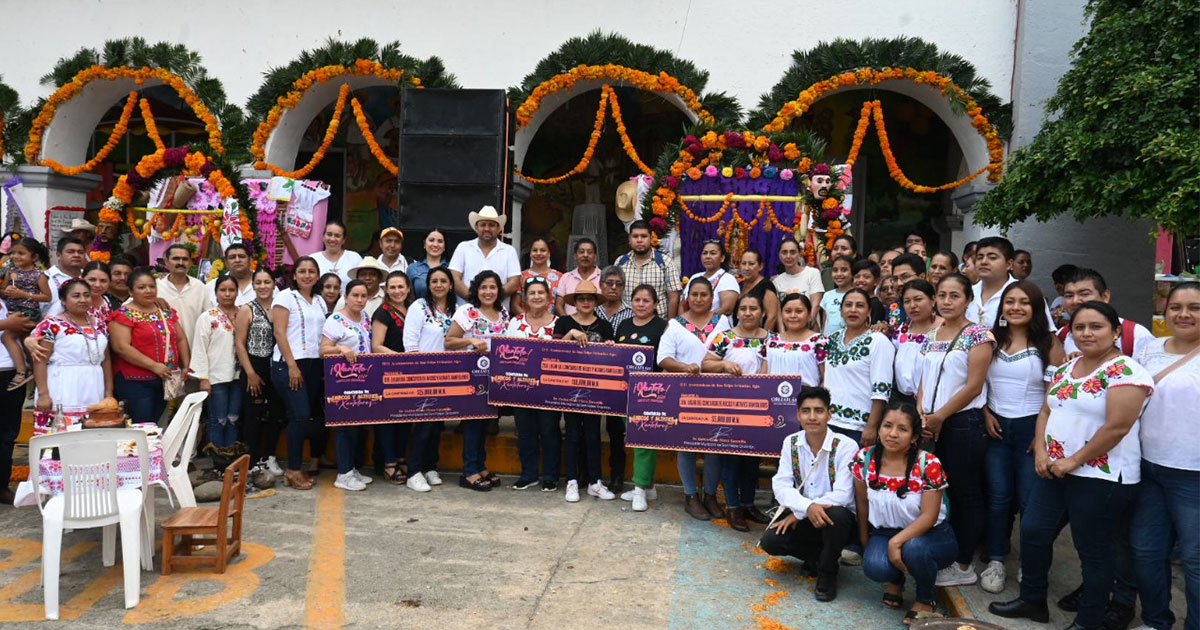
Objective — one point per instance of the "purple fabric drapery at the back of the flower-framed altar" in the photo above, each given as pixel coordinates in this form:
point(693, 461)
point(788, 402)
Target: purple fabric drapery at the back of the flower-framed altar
point(766, 242)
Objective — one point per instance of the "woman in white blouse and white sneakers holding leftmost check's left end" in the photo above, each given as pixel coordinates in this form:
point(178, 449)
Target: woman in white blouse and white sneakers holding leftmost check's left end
point(347, 334)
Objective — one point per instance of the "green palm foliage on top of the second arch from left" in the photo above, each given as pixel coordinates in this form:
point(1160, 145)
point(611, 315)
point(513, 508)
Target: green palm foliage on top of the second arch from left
point(279, 81)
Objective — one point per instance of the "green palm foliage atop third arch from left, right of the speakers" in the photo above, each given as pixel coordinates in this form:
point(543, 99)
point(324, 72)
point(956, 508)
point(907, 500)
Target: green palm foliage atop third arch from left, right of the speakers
point(599, 49)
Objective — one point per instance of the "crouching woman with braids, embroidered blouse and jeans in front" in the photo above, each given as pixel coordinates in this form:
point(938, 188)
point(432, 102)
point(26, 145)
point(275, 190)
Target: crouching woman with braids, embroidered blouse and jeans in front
point(902, 517)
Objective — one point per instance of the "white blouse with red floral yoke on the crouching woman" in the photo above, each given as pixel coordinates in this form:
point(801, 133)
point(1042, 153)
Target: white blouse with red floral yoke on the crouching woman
point(885, 507)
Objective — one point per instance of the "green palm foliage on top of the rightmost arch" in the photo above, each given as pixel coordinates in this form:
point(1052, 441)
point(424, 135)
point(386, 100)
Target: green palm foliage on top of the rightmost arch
point(844, 56)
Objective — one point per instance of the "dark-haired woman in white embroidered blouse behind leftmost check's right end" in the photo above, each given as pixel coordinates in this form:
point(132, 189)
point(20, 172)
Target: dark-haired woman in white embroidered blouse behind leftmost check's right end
point(472, 328)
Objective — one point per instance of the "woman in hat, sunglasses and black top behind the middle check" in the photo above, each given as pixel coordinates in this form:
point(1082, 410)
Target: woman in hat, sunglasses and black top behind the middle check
point(584, 327)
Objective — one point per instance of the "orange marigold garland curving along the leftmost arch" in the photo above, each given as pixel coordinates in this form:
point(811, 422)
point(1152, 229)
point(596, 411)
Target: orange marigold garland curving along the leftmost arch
point(77, 83)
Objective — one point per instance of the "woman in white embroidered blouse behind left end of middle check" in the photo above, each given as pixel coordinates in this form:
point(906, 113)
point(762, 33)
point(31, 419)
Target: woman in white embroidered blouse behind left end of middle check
point(538, 431)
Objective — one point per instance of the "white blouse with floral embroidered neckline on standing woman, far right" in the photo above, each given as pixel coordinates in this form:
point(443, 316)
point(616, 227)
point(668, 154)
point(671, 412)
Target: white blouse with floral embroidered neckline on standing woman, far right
point(1079, 409)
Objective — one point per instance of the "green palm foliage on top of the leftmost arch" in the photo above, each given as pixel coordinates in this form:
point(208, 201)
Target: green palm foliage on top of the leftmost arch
point(135, 52)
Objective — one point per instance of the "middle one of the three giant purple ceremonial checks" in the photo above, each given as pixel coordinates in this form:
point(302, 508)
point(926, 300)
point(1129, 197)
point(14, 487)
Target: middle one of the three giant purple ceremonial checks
point(563, 376)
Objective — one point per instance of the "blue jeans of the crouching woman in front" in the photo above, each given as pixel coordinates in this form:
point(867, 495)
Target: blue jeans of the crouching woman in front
point(923, 556)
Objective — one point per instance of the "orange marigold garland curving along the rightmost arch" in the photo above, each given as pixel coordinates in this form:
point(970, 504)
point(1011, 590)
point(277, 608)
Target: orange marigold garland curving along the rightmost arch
point(802, 104)
